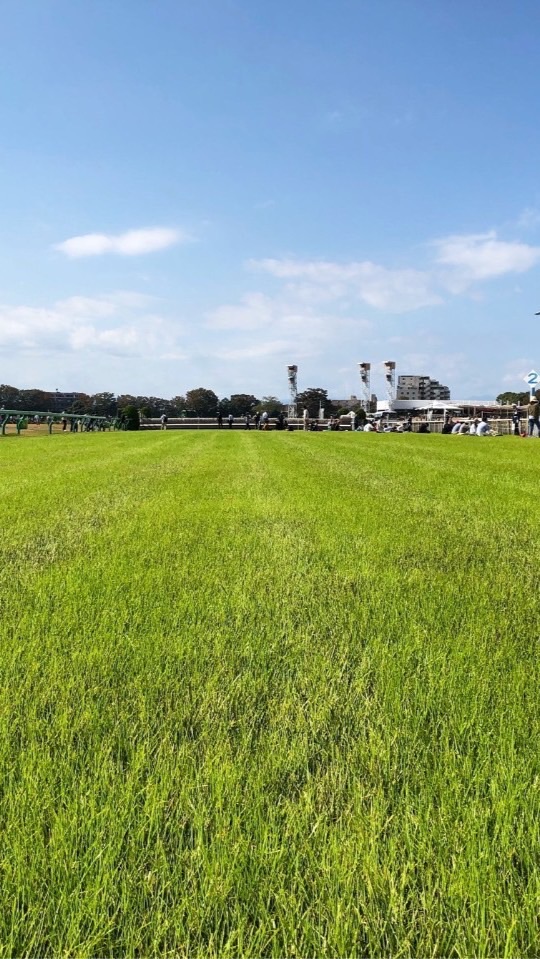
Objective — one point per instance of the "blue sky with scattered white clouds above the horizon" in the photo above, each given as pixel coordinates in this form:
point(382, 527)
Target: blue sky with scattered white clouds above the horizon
point(200, 192)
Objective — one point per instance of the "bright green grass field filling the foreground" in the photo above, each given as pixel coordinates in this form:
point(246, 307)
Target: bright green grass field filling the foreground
point(269, 695)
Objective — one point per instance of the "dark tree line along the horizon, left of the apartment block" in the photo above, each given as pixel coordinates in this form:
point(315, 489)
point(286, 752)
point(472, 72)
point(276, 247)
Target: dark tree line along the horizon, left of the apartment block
point(196, 402)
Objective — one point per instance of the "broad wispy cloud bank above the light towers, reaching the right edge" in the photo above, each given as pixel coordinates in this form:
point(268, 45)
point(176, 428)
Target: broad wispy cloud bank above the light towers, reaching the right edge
point(316, 306)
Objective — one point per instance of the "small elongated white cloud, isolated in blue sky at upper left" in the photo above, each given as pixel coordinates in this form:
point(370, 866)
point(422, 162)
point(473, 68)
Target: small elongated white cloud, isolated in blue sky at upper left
point(132, 243)
